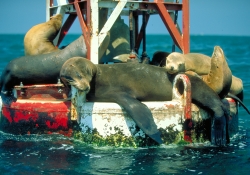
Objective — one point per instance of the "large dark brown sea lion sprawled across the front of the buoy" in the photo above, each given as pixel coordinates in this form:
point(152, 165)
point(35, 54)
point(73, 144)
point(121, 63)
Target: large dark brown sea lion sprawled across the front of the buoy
point(128, 84)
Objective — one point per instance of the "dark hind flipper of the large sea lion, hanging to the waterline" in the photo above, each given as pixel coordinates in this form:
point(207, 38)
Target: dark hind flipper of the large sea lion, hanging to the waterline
point(218, 131)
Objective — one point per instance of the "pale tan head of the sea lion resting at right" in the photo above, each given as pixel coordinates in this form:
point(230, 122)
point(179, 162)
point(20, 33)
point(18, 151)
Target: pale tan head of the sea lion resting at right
point(175, 63)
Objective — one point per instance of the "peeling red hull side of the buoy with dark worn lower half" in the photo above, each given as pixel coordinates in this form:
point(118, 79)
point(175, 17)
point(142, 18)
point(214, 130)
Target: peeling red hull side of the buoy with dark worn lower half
point(25, 116)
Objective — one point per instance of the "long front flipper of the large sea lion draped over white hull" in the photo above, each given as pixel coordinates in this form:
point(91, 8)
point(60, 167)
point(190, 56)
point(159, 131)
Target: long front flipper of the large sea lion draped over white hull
point(140, 114)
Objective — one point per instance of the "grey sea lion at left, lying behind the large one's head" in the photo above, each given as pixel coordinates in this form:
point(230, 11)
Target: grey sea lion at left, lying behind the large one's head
point(37, 69)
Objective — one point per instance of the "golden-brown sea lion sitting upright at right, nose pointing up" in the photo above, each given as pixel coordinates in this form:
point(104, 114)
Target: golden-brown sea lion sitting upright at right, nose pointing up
point(220, 75)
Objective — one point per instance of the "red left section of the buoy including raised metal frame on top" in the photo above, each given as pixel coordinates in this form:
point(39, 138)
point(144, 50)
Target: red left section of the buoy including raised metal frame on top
point(38, 109)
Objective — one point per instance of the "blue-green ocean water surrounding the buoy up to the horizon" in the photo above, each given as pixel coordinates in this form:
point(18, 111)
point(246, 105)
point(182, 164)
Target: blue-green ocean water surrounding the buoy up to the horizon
point(55, 154)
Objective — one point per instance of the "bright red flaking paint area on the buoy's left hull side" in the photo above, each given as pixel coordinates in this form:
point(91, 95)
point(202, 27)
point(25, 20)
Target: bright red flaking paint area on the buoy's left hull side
point(24, 110)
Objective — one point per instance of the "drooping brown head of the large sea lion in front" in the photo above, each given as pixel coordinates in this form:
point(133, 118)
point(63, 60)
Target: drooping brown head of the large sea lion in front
point(78, 72)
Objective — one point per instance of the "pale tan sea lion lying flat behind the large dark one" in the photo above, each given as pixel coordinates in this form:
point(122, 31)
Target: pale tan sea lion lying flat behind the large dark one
point(196, 62)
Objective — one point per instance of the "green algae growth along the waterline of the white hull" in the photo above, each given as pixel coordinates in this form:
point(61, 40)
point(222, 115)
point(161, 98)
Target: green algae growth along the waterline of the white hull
point(169, 135)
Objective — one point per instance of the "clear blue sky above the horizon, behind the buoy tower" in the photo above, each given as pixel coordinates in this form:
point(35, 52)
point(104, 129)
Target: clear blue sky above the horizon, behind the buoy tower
point(207, 17)
